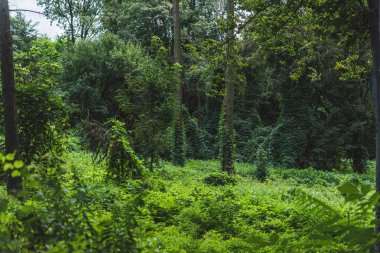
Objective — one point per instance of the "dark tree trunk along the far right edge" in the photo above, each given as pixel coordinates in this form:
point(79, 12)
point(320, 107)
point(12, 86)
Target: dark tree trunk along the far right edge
point(375, 85)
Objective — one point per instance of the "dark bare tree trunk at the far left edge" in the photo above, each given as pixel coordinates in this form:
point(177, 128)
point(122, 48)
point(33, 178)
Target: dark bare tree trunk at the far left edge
point(14, 184)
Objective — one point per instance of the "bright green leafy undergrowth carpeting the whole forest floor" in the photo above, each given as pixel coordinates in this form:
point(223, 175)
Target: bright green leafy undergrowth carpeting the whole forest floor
point(75, 207)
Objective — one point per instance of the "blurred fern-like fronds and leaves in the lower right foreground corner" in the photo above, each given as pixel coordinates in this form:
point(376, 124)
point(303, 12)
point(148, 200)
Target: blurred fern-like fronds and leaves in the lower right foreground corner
point(352, 224)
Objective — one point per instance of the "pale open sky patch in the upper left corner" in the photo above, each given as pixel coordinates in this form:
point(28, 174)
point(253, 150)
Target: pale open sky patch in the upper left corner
point(44, 26)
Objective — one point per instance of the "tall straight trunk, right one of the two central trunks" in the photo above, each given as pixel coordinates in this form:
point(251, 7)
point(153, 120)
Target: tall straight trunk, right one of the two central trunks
point(228, 145)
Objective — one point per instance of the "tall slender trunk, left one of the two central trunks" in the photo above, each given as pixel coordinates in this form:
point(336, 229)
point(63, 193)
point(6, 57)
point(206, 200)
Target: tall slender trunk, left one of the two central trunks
point(179, 134)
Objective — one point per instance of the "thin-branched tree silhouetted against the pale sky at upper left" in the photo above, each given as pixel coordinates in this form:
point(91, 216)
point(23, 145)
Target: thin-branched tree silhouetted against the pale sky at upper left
point(78, 18)
